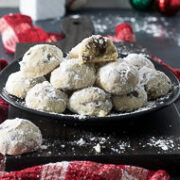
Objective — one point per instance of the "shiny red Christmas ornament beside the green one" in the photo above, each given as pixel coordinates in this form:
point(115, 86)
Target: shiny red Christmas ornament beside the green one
point(168, 7)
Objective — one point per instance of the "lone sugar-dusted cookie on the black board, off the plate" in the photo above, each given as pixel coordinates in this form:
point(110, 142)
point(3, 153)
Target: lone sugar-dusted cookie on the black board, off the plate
point(19, 136)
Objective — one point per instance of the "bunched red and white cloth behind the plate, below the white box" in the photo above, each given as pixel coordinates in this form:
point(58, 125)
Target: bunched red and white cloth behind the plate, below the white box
point(17, 28)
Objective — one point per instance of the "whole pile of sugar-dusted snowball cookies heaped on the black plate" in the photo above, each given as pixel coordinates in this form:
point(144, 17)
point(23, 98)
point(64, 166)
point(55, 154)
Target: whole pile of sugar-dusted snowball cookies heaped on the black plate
point(91, 80)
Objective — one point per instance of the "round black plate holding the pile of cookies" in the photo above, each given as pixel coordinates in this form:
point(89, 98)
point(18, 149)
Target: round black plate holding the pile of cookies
point(68, 117)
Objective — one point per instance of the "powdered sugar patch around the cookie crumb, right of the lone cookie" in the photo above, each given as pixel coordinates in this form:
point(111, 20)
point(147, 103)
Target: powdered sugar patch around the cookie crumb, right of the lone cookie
point(88, 143)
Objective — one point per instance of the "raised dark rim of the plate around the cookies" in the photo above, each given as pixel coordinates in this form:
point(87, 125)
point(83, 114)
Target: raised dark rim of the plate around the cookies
point(65, 117)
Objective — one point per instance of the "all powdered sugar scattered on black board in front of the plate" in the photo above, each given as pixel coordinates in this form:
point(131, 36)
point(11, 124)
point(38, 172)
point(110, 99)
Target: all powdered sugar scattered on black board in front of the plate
point(94, 144)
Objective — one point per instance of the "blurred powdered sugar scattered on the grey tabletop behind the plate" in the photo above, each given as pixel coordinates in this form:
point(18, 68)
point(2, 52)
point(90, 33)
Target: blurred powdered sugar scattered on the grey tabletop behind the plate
point(147, 25)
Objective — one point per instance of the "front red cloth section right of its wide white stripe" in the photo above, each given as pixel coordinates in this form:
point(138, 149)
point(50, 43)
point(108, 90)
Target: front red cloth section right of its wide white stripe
point(97, 171)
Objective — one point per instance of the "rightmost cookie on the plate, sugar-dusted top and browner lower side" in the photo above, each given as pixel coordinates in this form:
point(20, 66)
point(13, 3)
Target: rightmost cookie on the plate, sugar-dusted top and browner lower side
point(156, 83)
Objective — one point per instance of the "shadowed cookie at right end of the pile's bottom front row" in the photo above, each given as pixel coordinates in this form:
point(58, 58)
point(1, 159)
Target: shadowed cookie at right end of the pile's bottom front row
point(131, 101)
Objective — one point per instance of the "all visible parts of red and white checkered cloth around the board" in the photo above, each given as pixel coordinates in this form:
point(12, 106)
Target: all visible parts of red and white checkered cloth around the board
point(19, 28)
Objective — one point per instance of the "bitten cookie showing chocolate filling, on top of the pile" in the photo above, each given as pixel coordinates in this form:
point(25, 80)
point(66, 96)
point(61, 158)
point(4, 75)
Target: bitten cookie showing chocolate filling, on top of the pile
point(94, 49)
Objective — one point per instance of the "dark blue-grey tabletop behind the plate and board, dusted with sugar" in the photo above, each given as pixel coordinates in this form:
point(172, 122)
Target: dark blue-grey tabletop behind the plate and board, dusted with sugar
point(159, 34)
